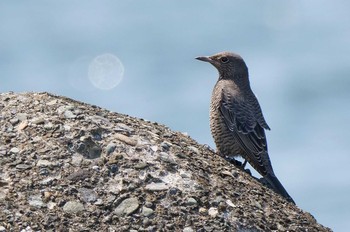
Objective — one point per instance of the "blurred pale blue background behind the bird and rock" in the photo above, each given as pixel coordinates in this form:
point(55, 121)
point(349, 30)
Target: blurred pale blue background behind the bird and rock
point(297, 53)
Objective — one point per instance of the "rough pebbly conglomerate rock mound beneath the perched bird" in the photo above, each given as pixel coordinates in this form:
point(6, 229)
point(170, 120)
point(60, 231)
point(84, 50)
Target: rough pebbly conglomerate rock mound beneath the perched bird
point(70, 166)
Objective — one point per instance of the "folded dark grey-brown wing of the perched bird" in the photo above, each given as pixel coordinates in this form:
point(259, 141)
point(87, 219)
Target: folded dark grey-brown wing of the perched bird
point(241, 119)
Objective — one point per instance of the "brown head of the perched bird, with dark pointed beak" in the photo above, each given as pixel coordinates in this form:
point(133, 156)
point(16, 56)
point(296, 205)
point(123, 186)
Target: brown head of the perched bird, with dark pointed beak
point(229, 65)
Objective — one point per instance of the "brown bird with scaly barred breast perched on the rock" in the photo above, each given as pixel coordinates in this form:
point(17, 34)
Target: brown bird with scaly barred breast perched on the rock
point(237, 123)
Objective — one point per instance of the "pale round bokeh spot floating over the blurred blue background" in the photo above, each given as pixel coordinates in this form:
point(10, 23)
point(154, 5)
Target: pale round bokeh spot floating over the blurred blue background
point(105, 71)
